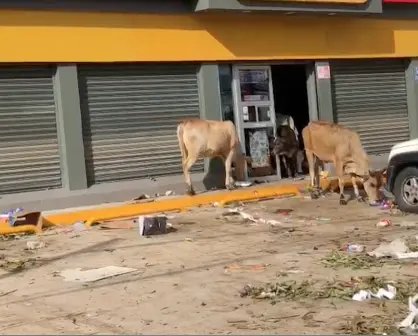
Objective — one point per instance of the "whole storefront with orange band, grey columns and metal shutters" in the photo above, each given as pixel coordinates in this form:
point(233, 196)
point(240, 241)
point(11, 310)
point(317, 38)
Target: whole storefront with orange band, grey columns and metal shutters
point(135, 74)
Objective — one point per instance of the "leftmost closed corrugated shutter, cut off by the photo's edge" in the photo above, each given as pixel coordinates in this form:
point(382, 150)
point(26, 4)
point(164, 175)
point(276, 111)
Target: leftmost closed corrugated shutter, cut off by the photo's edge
point(29, 150)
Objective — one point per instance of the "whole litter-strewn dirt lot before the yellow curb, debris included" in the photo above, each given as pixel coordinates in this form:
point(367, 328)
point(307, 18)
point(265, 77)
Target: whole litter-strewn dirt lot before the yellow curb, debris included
point(282, 266)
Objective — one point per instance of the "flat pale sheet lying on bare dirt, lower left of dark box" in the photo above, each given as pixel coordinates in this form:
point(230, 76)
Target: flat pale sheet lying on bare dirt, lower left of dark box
point(77, 275)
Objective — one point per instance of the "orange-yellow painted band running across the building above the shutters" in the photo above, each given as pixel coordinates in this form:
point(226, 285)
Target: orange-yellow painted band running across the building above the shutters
point(36, 36)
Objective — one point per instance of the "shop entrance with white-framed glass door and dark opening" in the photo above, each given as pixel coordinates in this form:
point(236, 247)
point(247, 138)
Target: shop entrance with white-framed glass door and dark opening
point(256, 96)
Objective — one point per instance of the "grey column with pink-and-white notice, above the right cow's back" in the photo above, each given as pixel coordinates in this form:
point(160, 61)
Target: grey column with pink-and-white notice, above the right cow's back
point(324, 91)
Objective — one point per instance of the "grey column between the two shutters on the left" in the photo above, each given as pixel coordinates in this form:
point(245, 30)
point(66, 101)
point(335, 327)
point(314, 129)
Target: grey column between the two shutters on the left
point(69, 124)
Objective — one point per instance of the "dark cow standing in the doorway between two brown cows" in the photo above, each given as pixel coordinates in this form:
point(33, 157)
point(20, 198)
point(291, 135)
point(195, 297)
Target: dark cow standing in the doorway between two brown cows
point(286, 147)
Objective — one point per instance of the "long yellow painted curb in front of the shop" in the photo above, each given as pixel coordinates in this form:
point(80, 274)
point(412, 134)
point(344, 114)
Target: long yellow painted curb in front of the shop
point(101, 213)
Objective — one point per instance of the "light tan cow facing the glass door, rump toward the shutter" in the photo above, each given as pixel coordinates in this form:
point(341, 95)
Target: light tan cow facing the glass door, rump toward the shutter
point(208, 139)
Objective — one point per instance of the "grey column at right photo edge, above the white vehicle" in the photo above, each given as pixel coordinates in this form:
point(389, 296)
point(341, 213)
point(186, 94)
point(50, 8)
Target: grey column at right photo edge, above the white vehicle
point(411, 77)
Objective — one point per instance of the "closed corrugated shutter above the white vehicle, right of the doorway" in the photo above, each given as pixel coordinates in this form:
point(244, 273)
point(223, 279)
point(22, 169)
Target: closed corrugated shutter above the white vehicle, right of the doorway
point(370, 98)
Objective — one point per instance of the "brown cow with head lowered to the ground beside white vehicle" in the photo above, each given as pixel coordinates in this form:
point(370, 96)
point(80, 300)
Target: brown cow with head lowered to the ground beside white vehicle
point(338, 145)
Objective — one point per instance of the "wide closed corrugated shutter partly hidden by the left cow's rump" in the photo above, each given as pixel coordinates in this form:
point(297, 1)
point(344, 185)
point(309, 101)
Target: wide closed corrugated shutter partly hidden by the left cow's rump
point(130, 116)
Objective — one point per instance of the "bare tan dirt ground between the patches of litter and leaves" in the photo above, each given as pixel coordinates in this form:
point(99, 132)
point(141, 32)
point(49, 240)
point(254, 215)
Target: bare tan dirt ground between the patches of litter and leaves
point(181, 285)
